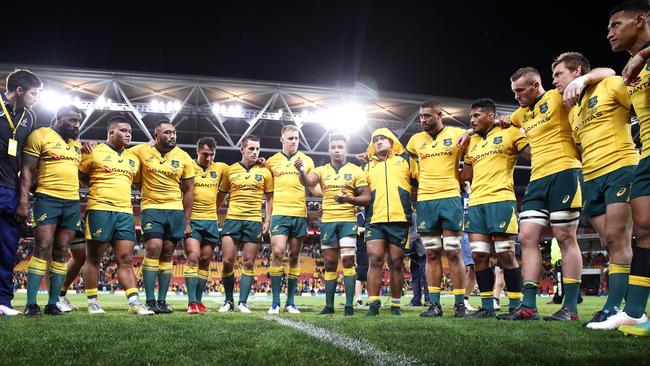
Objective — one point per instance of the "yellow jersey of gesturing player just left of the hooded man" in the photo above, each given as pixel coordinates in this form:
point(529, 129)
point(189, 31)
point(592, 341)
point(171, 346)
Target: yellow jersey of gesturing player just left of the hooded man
point(344, 180)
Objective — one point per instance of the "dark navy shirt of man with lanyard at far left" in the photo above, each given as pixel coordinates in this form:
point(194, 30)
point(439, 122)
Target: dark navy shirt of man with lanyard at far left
point(10, 165)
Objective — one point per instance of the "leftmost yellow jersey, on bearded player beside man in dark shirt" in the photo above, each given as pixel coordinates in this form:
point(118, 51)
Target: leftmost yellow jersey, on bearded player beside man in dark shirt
point(58, 163)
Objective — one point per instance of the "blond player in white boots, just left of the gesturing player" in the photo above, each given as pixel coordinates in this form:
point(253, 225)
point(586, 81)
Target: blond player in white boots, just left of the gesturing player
point(289, 219)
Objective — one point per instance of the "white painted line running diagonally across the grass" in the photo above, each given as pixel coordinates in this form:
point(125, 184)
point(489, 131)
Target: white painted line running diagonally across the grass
point(371, 353)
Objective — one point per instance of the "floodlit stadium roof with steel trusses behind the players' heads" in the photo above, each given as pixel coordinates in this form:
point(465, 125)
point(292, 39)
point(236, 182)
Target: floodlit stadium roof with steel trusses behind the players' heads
point(228, 109)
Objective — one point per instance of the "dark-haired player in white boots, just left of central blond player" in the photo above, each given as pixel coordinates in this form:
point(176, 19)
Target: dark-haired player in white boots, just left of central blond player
point(247, 183)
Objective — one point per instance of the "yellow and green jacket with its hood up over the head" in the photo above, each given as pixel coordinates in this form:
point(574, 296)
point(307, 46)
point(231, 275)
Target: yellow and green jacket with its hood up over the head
point(389, 182)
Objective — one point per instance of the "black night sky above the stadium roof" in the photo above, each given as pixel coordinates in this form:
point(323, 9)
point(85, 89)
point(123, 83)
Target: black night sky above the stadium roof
point(461, 49)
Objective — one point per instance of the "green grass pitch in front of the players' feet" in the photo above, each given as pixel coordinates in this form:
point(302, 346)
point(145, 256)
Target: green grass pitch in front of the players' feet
point(306, 339)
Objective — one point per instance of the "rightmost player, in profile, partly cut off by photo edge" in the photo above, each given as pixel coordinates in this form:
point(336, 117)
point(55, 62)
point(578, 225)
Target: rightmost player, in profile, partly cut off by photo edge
point(629, 31)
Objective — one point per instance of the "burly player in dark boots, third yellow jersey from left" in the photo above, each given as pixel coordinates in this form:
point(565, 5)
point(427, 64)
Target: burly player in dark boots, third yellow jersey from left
point(167, 184)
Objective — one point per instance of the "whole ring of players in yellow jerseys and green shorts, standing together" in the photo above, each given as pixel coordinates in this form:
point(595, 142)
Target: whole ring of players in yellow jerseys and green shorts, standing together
point(577, 137)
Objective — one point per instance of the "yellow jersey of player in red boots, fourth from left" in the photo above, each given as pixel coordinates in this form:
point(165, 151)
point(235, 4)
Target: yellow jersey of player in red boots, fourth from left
point(206, 187)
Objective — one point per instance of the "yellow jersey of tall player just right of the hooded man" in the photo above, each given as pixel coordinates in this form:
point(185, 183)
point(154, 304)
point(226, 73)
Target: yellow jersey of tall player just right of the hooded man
point(438, 158)
